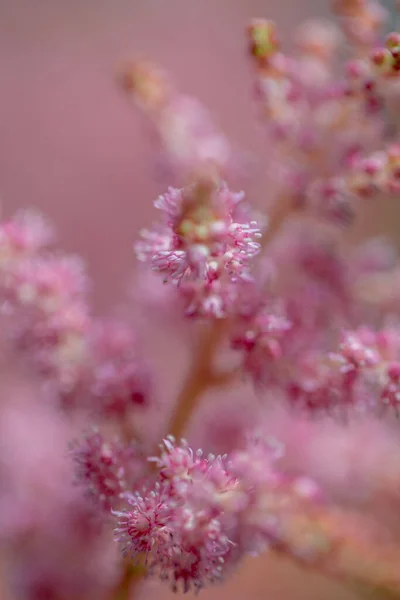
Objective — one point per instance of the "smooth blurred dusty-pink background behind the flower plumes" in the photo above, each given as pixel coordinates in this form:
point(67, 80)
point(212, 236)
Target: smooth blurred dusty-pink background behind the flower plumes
point(73, 146)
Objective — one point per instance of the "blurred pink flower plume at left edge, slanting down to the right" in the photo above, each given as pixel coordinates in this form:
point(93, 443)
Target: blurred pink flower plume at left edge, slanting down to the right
point(46, 294)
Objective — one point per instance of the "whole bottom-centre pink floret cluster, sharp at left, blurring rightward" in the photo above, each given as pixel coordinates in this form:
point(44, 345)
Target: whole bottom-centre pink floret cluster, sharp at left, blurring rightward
point(203, 513)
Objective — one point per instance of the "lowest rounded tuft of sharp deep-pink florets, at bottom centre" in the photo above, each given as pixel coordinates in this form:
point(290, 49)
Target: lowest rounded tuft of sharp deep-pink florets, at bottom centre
point(182, 545)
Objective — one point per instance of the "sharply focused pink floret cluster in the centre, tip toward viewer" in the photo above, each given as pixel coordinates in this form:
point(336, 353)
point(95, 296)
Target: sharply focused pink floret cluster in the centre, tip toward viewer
point(201, 247)
